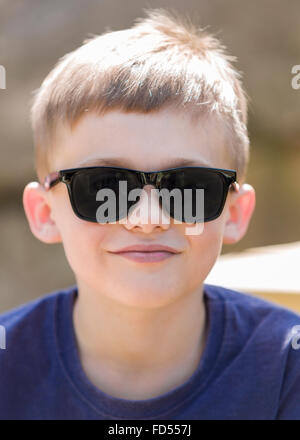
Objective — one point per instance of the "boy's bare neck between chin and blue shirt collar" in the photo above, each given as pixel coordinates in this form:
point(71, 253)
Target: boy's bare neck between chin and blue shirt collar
point(117, 343)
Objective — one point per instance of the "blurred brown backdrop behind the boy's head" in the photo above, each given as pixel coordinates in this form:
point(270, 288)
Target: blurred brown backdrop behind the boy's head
point(263, 35)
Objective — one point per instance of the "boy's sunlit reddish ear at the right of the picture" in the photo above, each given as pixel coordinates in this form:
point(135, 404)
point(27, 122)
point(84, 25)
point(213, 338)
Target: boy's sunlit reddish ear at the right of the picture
point(240, 210)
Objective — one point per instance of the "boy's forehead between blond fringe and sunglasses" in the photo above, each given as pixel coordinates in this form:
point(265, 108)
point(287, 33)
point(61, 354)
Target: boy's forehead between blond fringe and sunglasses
point(163, 139)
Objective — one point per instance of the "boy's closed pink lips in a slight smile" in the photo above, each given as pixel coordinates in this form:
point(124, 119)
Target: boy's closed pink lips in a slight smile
point(147, 253)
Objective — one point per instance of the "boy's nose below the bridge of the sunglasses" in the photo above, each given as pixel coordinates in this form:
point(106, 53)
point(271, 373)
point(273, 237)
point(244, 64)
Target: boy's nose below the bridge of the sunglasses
point(147, 215)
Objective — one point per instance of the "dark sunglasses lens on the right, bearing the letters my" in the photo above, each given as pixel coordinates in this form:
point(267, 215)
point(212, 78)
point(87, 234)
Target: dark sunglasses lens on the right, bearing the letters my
point(189, 208)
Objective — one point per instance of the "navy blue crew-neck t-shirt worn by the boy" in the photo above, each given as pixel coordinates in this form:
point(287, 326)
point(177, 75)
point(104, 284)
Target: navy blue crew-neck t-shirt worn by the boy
point(249, 369)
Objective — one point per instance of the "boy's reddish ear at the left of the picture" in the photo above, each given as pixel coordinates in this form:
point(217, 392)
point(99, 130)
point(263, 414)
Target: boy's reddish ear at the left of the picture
point(38, 213)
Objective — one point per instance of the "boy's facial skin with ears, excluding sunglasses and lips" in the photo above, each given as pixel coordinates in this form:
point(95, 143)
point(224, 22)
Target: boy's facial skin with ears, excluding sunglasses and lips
point(145, 142)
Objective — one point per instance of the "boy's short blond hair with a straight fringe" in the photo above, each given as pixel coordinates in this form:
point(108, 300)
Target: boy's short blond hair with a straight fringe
point(163, 60)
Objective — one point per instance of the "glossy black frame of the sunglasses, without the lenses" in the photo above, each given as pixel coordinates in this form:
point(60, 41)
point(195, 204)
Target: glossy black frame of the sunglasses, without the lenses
point(144, 178)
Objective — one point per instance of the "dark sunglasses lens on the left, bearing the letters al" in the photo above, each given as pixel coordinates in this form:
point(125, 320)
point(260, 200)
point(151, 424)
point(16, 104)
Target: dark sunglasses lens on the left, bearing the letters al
point(103, 206)
